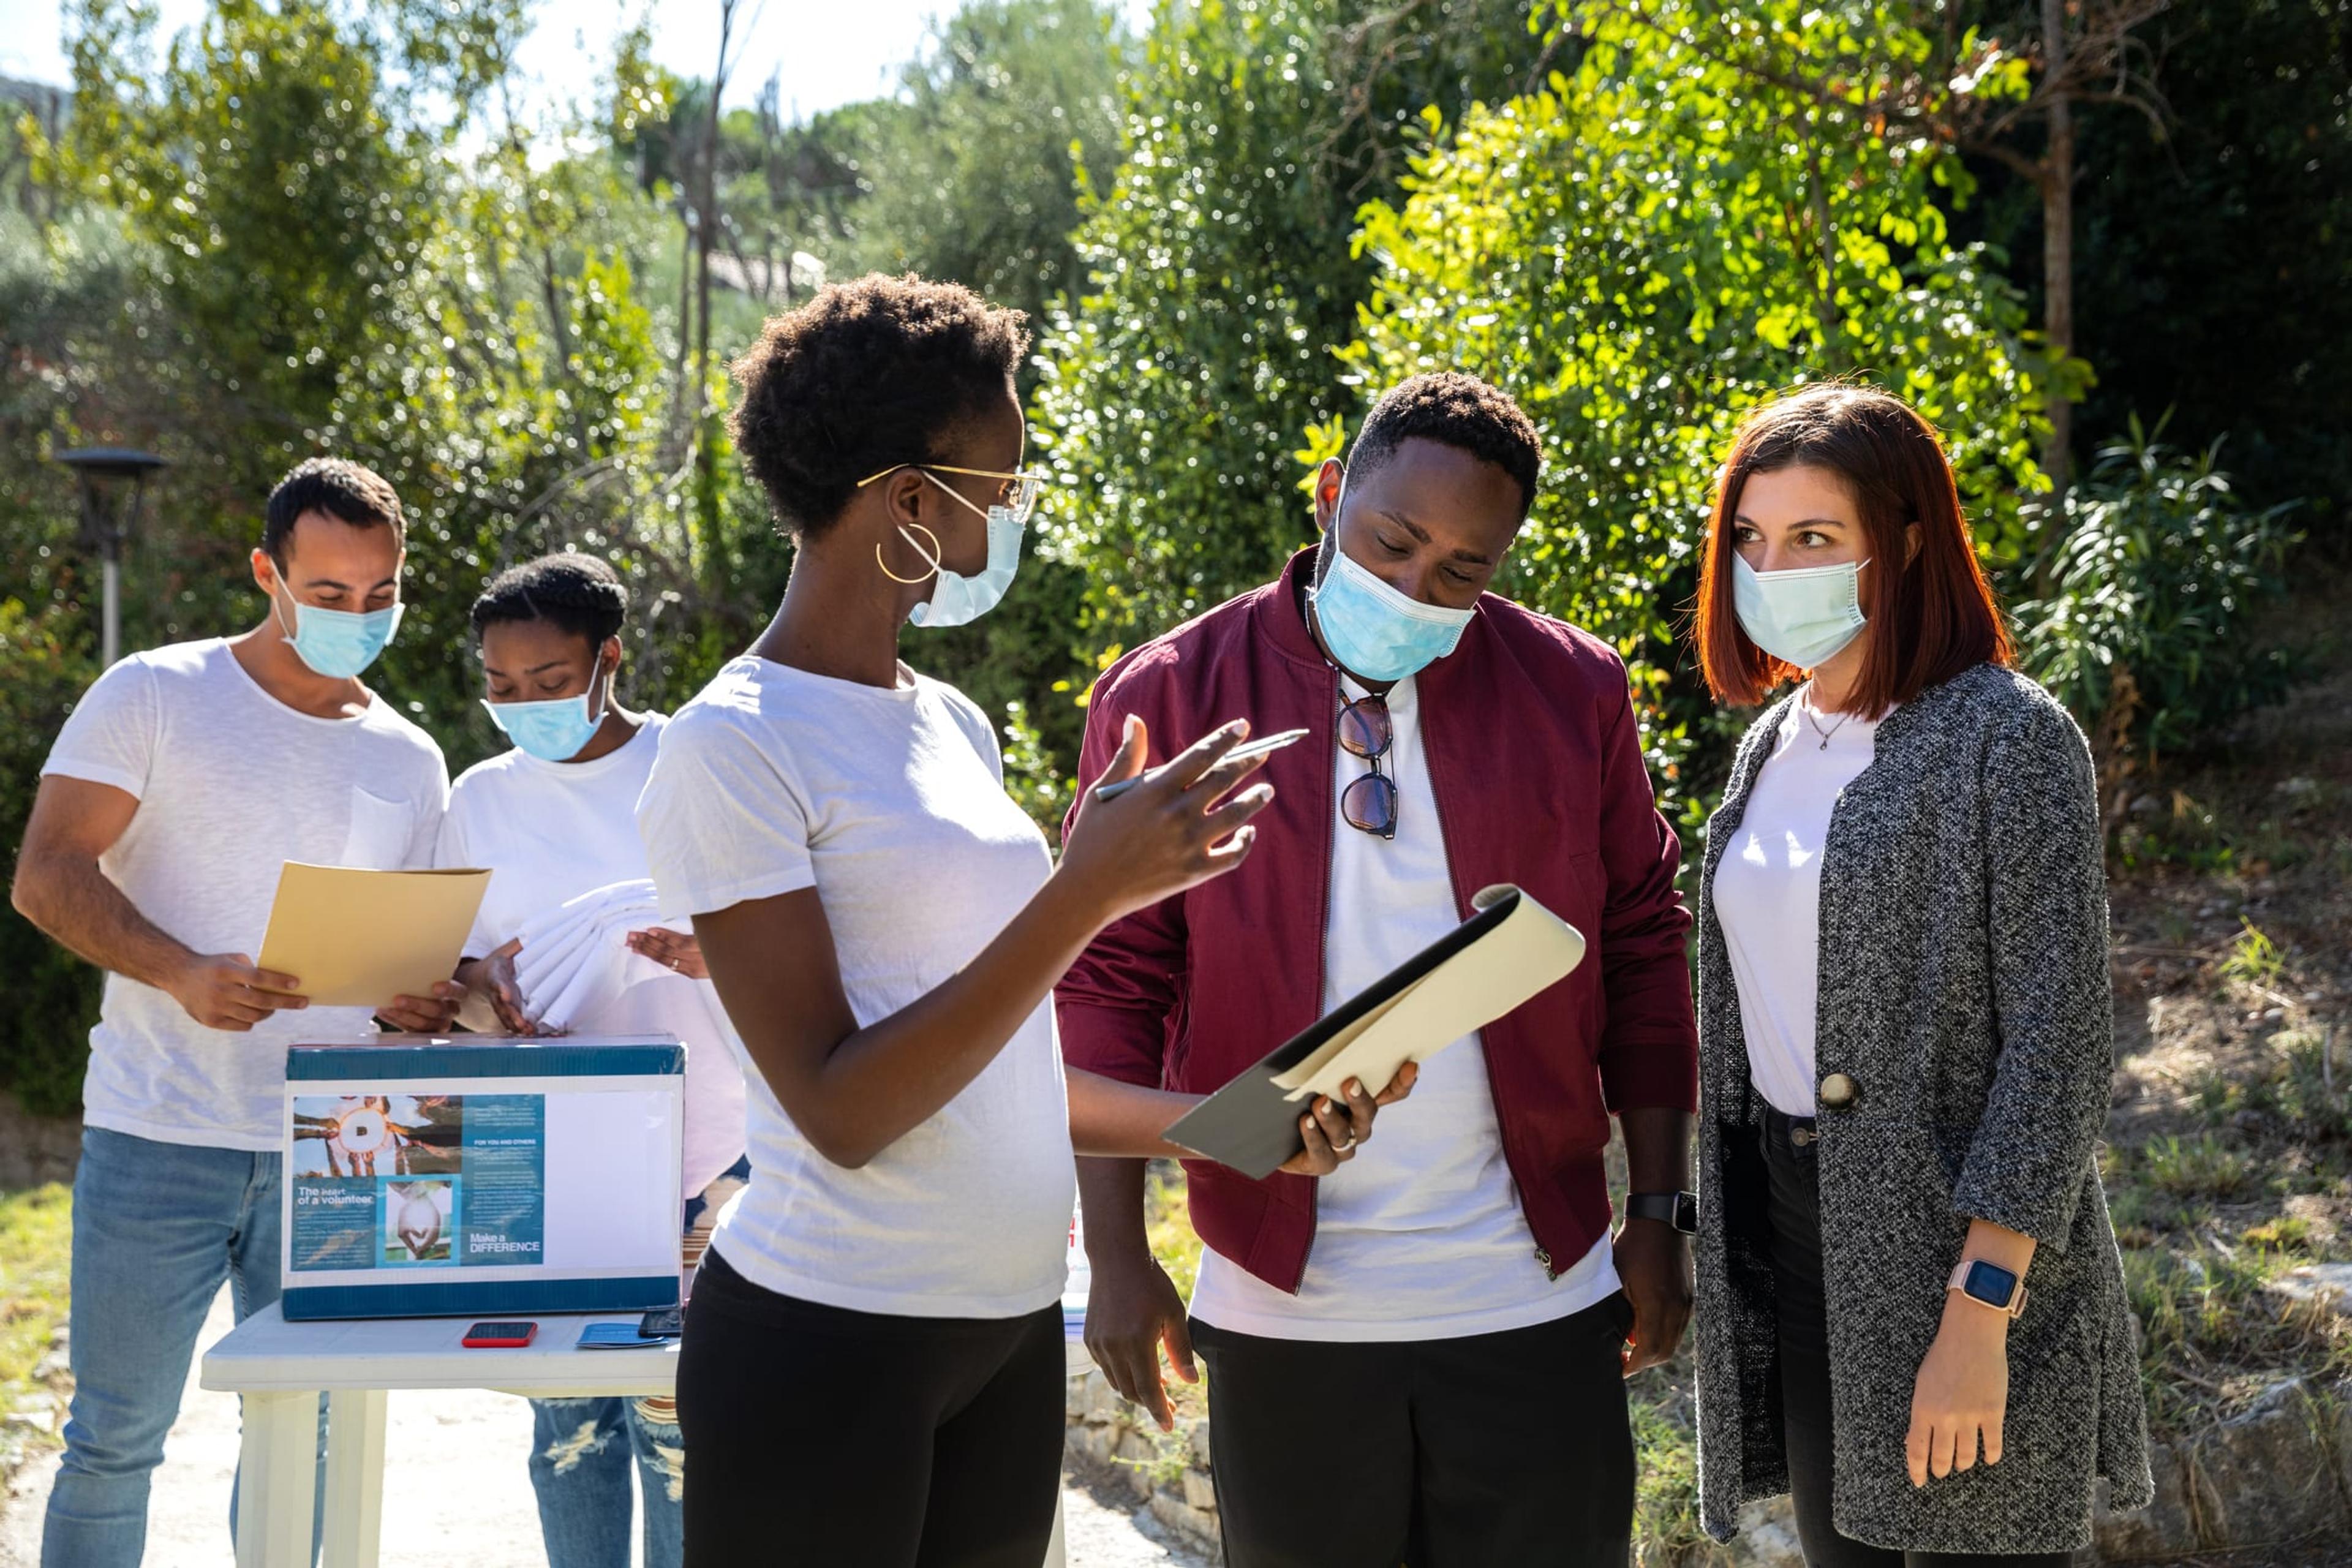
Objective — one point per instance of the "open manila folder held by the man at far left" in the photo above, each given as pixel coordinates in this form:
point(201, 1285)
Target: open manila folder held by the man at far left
point(359, 937)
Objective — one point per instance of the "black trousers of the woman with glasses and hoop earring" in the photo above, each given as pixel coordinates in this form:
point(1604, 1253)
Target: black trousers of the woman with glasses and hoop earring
point(862, 1440)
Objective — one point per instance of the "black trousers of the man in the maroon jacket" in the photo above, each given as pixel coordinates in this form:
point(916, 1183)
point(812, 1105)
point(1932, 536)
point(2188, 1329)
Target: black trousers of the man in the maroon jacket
point(1492, 1452)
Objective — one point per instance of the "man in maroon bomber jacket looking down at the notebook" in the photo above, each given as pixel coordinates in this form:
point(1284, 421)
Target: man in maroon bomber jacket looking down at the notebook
point(1419, 1355)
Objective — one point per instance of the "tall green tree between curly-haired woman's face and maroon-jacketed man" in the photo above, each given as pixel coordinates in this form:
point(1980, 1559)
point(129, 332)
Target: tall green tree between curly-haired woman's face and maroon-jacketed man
point(1177, 387)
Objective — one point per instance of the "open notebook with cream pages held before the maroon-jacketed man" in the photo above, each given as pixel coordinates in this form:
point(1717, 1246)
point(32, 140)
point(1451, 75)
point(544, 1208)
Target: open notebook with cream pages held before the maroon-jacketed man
point(1509, 951)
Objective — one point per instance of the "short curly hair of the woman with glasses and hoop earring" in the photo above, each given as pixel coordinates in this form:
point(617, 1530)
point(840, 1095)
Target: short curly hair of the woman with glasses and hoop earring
point(864, 377)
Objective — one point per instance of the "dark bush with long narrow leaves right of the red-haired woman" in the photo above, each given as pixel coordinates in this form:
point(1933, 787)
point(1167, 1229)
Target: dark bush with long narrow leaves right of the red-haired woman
point(2146, 601)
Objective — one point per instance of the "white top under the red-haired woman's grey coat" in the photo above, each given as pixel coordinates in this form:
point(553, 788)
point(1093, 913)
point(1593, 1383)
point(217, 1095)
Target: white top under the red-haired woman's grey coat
point(1768, 894)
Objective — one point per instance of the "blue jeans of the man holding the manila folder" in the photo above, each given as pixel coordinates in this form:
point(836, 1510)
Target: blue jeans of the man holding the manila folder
point(156, 1228)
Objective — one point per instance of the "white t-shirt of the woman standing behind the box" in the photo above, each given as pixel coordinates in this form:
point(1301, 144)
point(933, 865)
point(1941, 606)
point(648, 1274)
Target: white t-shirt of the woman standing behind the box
point(554, 831)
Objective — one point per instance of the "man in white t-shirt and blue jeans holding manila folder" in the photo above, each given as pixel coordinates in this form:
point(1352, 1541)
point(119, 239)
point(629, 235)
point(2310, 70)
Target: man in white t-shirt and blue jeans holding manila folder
point(178, 789)
